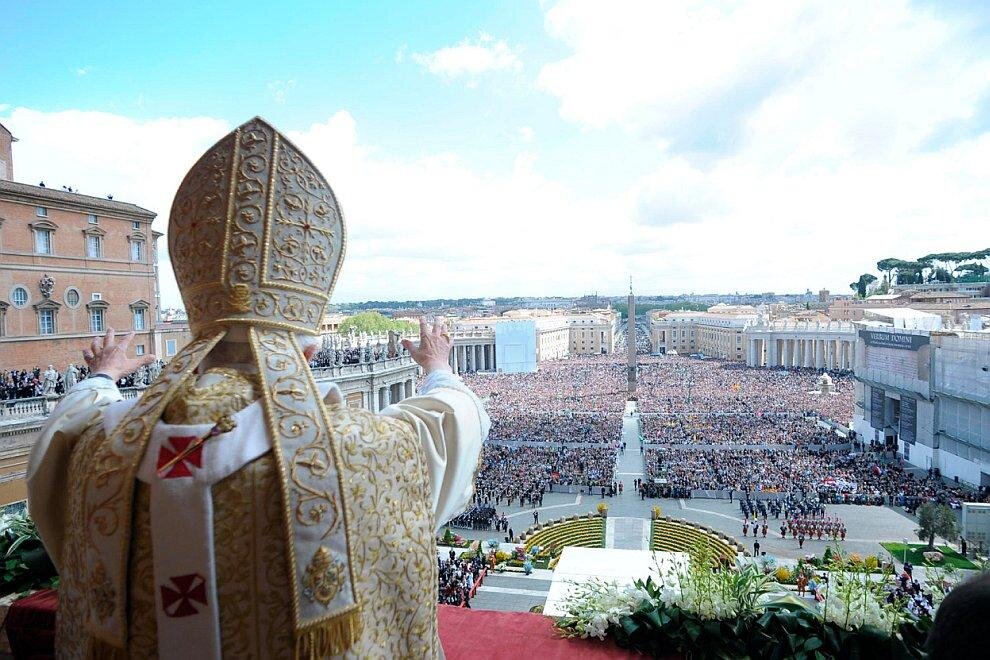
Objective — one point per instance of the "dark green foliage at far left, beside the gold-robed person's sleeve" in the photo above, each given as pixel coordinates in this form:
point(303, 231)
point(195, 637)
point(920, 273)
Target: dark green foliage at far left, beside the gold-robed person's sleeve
point(23, 558)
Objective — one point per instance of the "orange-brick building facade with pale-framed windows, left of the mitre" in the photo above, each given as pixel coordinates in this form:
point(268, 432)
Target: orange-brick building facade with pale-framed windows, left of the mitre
point(70, 267)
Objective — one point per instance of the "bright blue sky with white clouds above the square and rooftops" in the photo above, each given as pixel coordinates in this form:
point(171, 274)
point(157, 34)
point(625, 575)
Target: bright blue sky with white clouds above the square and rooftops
point(539, 148)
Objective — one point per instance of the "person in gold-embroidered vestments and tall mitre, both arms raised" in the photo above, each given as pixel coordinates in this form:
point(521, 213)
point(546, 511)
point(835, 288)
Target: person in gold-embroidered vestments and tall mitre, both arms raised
point(238, 508)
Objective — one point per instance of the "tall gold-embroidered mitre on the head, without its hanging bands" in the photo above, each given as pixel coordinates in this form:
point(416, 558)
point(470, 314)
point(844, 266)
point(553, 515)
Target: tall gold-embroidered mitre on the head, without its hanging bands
point(256, 235)
